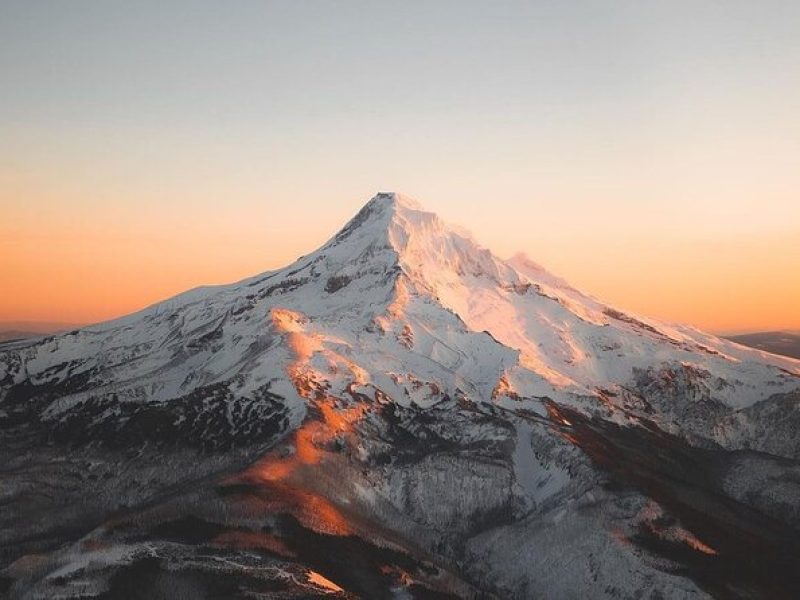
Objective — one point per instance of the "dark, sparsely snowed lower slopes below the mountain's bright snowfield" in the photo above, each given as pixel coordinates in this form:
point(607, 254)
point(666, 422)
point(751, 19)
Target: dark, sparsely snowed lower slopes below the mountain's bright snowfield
point(447, 485)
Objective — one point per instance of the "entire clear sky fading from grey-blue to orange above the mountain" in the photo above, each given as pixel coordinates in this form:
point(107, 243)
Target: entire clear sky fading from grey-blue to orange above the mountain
point(648, 152)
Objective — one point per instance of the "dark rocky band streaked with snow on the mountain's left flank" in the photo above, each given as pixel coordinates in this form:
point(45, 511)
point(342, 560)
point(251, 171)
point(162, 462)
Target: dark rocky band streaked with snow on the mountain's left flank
point(210, 418)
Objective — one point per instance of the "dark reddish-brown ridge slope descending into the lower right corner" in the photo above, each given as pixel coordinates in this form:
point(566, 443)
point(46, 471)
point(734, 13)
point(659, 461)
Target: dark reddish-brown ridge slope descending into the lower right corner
point(748, 546)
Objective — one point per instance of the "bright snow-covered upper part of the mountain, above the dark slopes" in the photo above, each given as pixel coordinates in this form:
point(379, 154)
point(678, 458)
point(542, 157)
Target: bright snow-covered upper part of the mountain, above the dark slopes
point(397, 287)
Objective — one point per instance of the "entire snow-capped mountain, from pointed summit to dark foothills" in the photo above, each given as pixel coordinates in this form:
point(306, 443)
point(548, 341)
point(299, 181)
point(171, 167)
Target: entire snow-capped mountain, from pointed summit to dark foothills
point(398, 414)
